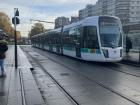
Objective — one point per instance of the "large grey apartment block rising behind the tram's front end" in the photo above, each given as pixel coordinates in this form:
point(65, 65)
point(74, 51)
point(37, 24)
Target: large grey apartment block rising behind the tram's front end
point(127, 10)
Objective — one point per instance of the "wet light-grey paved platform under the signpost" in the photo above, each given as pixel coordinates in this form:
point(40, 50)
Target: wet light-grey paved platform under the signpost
point(19, 86)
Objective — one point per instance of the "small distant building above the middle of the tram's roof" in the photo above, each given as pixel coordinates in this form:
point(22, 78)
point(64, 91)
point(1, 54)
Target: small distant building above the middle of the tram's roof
point(61, 21)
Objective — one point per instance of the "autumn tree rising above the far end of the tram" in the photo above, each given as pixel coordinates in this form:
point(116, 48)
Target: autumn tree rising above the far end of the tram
point(38, 28)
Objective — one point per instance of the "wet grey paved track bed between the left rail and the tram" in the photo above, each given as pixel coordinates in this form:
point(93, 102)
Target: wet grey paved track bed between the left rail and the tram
point(86, 88)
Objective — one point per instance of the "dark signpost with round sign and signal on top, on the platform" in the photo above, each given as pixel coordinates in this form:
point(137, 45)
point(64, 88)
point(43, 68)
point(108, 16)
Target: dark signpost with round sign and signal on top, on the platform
point(15, 21)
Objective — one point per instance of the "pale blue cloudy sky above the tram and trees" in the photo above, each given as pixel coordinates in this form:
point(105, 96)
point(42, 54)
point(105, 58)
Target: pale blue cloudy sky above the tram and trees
point(46, 10)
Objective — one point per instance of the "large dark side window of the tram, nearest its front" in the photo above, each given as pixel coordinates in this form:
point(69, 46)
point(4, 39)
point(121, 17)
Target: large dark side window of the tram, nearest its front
point(90, 37)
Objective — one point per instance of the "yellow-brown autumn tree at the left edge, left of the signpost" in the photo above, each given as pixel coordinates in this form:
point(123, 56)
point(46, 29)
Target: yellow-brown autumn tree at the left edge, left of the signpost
point(5, 24)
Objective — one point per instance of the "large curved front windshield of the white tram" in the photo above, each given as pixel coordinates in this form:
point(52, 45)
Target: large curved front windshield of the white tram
point(110, 32)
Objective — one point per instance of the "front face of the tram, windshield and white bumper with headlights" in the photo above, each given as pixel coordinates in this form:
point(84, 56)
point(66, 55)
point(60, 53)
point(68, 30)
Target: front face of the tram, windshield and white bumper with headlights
point(110, 32)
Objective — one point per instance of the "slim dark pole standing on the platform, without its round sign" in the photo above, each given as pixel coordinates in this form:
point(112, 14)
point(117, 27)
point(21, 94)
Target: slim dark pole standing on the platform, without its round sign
point(15, 39)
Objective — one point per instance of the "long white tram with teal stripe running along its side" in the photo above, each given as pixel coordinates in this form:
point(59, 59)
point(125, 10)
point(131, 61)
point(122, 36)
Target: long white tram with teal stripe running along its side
point(96, 38)
